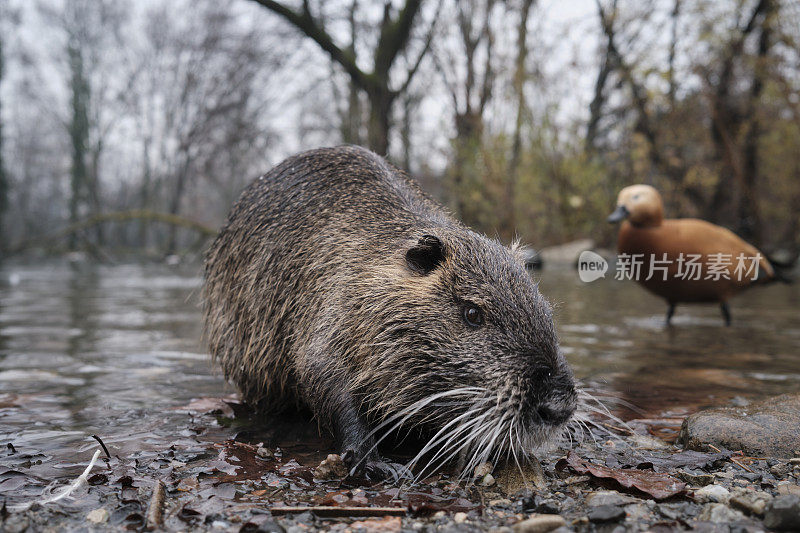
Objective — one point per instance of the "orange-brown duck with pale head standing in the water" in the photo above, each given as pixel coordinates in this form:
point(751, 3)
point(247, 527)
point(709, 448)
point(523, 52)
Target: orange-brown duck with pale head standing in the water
point(693, 261)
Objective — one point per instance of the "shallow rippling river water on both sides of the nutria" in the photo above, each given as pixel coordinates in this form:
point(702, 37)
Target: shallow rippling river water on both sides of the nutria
point(115, 351)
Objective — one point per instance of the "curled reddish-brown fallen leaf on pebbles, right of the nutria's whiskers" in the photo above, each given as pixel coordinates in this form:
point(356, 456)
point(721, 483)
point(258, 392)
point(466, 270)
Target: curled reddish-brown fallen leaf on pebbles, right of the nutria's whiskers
point(659, 486)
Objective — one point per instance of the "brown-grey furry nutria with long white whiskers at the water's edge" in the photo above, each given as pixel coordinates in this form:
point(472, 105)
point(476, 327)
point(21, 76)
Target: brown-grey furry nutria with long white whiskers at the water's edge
point(337, 284)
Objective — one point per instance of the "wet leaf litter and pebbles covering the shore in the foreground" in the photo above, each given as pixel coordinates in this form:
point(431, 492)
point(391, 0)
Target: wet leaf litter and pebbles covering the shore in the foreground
point(242, 484)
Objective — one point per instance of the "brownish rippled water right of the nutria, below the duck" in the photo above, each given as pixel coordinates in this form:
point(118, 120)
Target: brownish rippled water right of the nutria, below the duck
point(614, 335)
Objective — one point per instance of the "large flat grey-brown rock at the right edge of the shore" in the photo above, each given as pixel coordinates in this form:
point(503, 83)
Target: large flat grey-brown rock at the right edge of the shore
point(766, 428)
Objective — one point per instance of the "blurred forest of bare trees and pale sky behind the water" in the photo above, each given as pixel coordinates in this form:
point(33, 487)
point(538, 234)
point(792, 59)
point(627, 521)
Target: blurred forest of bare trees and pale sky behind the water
point(132, 126)
